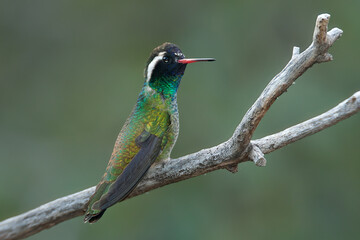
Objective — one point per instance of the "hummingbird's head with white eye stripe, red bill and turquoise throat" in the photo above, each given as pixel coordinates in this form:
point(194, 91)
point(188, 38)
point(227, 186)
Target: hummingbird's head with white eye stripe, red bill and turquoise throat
point(166, 66)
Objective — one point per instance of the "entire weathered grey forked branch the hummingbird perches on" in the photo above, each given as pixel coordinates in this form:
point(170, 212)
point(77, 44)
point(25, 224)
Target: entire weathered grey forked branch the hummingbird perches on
point(239, 148)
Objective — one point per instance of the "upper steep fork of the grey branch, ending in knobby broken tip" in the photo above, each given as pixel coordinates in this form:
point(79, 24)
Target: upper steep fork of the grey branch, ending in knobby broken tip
point(299, 63)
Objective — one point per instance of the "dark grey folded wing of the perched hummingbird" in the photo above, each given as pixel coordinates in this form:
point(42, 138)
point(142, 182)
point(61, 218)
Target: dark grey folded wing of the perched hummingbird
point(134, 172)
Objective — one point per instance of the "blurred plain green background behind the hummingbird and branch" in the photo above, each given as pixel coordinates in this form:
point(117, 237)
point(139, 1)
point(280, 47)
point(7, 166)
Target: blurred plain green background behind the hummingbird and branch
point(70, 72)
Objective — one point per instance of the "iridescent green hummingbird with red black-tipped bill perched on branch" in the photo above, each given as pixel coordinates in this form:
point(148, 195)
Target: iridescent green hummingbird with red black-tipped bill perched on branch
point(149, 133)
